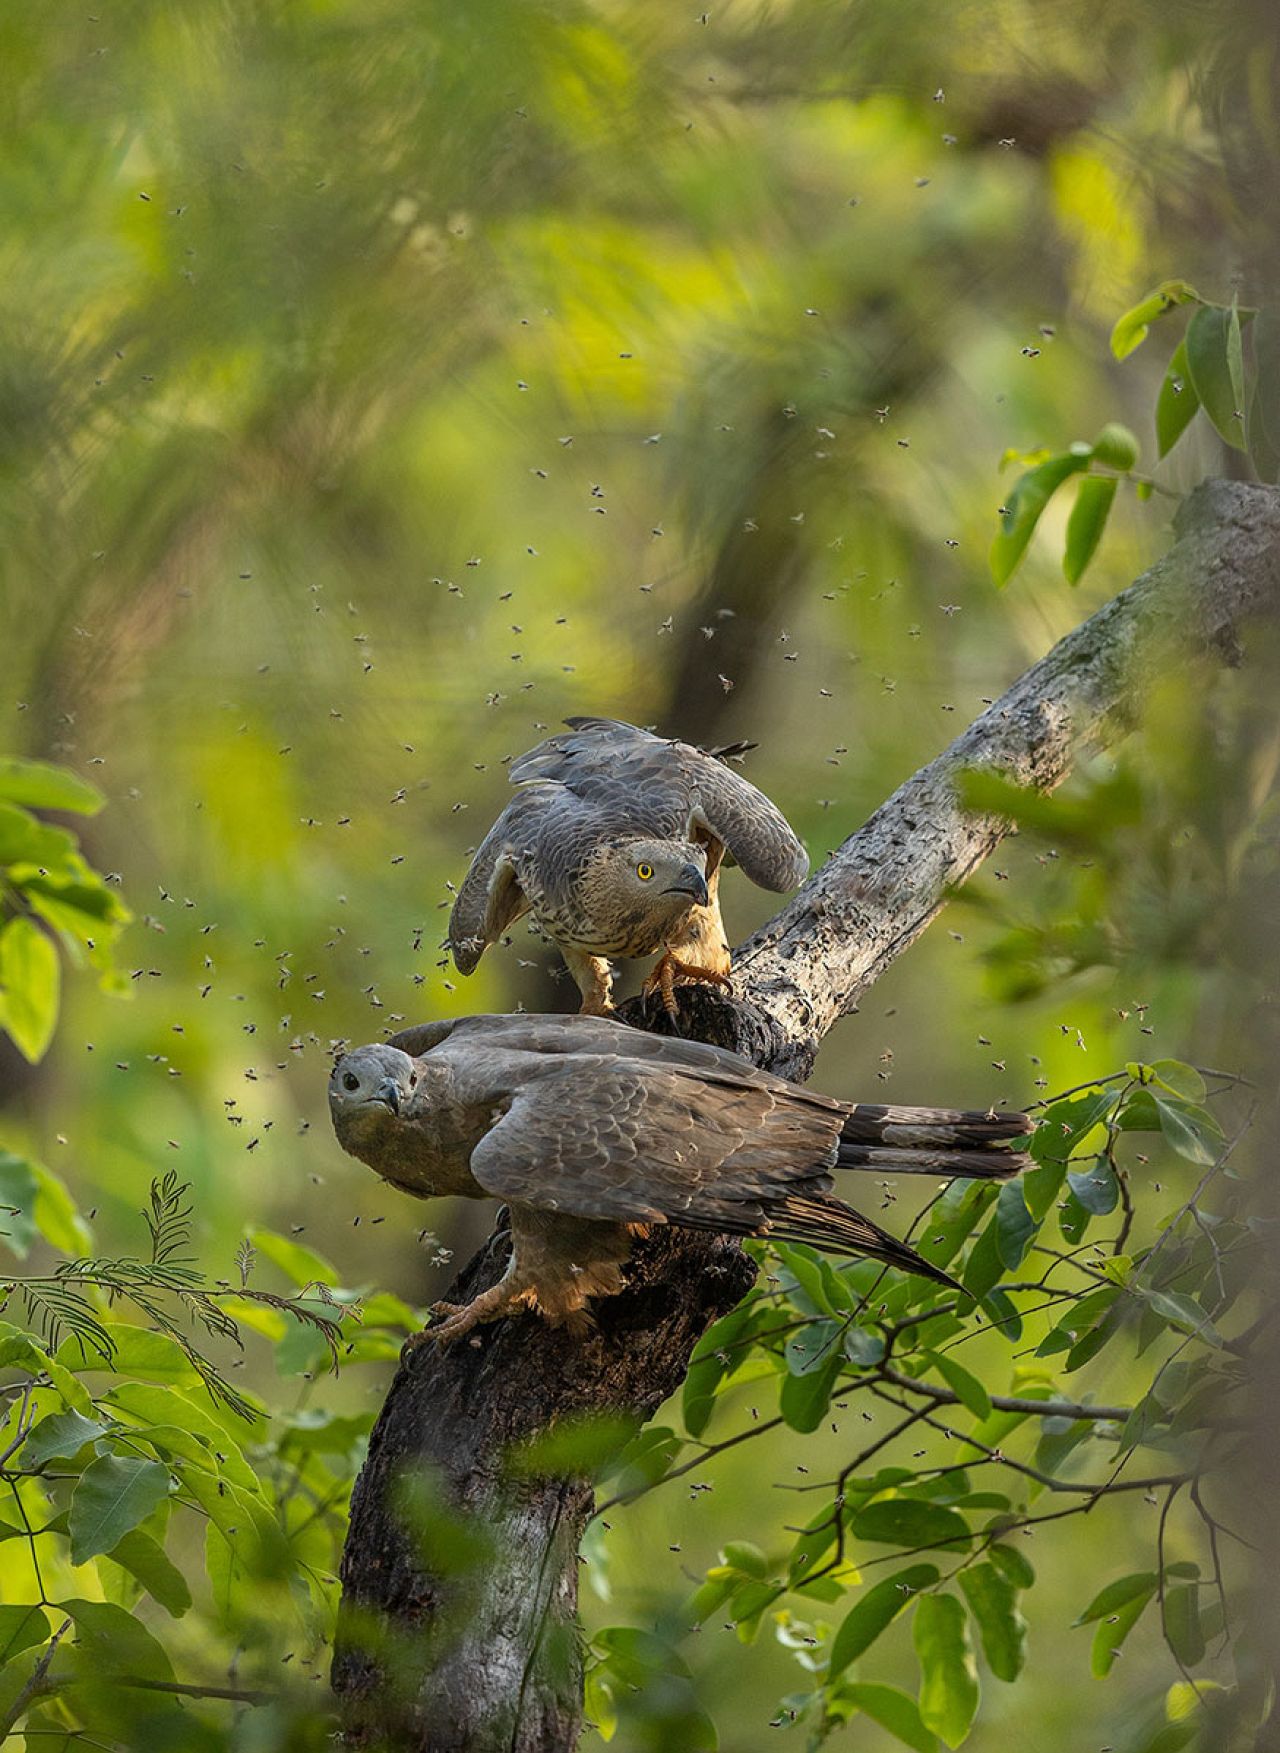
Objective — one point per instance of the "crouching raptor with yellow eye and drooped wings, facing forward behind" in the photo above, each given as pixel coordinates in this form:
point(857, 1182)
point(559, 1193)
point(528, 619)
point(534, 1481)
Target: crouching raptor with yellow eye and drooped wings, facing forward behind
point(615, 844)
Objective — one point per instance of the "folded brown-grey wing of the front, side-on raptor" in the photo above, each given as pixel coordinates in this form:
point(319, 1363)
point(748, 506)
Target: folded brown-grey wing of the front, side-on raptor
point(650, 1146)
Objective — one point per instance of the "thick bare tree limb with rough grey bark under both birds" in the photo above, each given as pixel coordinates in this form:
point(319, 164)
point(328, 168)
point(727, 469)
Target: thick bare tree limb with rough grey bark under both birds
point(474, 1659)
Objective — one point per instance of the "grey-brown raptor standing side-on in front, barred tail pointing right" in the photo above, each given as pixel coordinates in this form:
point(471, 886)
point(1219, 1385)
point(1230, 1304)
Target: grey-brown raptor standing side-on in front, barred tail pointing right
point(592, 1132)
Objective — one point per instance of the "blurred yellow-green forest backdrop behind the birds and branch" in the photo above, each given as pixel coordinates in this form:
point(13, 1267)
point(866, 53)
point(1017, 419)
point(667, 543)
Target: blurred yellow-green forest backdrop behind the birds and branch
point(383, 383)
